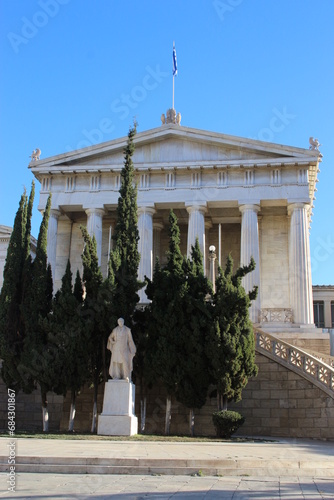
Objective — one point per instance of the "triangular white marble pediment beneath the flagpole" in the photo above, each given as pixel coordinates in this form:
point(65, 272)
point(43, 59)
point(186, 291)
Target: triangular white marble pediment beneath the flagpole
point(171, 145)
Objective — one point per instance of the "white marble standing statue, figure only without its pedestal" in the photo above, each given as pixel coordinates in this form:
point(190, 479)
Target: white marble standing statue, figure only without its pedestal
point(123, 349)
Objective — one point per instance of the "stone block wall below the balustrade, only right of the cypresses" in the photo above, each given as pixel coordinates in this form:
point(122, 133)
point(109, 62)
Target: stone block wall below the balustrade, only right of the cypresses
point(279, 402)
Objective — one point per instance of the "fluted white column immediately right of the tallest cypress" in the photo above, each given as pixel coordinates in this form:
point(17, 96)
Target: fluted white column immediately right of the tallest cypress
point(145, 247)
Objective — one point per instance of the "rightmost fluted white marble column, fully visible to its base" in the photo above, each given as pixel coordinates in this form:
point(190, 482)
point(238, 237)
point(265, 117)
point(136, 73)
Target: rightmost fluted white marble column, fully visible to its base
point(300, 264)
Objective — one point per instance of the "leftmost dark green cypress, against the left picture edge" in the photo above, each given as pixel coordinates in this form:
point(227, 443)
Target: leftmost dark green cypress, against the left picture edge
point(16, 270)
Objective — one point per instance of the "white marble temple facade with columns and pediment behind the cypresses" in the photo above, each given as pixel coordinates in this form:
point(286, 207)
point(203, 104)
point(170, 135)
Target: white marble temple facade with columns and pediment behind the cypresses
point(247, 197)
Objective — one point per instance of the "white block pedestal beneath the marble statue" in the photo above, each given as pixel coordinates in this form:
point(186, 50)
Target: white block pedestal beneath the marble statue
point(117, 417)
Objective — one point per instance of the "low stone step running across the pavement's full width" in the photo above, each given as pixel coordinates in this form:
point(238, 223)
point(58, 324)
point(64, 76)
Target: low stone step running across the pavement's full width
point(225, 467)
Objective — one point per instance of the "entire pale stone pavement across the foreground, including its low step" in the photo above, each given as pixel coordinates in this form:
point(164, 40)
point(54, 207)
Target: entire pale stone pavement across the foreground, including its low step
point(91, 469)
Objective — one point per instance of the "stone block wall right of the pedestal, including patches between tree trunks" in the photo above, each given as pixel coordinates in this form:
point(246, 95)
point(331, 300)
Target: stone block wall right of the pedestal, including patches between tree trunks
point(278, 402)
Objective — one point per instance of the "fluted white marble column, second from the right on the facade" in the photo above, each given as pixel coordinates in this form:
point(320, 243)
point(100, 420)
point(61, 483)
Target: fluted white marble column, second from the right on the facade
point(250, 248)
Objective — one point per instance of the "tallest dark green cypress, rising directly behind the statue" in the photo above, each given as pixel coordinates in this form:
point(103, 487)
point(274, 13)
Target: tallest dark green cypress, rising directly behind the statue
point(124, 258)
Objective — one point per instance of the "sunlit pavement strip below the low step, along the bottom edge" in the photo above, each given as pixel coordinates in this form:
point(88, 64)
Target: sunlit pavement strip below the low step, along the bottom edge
point(131, 487)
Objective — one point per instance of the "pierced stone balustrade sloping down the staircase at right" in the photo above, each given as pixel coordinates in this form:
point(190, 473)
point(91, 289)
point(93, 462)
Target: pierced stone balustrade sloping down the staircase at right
point(295, 359)
